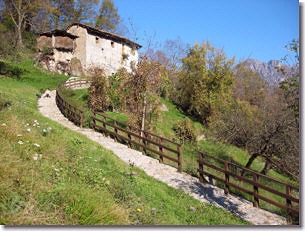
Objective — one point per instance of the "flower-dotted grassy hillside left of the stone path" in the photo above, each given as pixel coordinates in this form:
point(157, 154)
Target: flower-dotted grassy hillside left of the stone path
point(51, 175)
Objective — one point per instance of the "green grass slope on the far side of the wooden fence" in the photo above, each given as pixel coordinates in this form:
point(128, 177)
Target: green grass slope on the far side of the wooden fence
point(164, 126)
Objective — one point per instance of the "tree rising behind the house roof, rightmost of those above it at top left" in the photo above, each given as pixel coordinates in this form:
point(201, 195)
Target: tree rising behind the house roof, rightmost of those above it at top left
point(108, 17)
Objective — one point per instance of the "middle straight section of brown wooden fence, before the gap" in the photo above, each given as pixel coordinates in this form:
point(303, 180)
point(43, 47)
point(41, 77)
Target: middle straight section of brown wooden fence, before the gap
point(158, 145)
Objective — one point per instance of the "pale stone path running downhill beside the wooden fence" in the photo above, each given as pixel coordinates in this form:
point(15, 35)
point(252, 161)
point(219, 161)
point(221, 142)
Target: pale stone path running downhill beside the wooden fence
point(203, 192)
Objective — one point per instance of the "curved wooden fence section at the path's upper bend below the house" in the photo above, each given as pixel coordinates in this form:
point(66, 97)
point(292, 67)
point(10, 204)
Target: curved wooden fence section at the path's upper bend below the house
point(69, 111)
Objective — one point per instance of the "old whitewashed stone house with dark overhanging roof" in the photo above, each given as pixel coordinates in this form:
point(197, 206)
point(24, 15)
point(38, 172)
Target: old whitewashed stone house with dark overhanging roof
point(80, 48)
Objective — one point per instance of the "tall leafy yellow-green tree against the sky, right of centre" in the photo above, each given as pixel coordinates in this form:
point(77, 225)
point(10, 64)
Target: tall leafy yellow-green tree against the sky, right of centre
point(205, 82)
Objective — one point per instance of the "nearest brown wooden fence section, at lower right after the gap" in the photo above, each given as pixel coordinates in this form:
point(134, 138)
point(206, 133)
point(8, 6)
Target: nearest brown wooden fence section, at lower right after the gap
point(234, 175)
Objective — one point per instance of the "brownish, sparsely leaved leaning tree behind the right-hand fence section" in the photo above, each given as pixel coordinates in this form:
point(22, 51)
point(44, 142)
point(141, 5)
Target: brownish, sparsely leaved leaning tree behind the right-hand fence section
point(267, 131)
